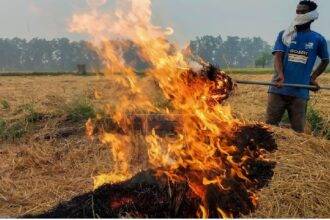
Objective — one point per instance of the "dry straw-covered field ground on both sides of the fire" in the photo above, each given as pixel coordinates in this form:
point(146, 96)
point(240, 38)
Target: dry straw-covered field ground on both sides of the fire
point(45, 166)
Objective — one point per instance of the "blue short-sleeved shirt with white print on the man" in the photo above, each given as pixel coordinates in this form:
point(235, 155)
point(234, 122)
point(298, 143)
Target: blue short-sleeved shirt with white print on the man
point(299, 60)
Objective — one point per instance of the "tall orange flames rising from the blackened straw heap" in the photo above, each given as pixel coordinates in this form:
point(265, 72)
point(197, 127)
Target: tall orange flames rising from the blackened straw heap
point(196, 153)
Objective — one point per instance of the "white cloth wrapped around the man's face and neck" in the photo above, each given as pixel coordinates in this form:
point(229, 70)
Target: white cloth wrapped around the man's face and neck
point(300, 19)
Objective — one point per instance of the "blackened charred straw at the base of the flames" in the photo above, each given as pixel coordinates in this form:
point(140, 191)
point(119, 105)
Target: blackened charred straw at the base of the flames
point(132, 198)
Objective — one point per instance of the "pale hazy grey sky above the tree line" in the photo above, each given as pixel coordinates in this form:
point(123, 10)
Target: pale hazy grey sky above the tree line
point(189, 18)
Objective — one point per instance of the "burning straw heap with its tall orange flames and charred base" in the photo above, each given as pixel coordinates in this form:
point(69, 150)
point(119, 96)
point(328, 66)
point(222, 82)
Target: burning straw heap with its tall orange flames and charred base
point(205, 163)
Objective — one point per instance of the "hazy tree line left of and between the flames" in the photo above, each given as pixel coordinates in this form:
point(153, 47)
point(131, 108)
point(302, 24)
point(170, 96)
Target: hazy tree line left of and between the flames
point(58, 55)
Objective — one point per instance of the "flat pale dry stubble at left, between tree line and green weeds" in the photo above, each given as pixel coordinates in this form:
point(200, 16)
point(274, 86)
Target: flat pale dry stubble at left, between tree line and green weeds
point(46, 92)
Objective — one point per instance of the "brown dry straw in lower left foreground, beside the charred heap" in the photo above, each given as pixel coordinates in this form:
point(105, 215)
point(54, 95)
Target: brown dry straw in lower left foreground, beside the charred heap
point(37, 176)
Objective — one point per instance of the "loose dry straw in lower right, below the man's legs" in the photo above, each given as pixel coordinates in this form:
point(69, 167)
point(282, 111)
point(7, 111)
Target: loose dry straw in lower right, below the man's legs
point(301, 185)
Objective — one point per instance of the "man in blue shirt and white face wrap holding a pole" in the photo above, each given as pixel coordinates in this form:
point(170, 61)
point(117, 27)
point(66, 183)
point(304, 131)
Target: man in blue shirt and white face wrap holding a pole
point(295, 53)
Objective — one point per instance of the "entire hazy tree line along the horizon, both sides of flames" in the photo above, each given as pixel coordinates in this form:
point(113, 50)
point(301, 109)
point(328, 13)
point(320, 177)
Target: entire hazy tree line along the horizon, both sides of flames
point(61, 54)
